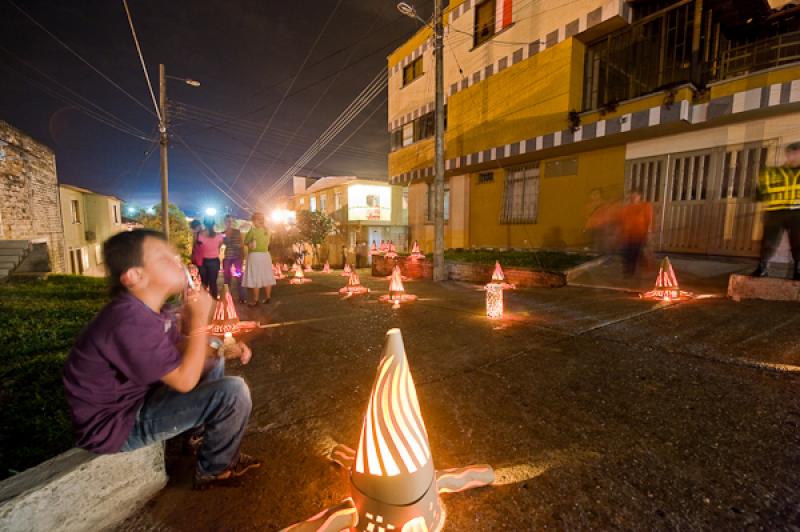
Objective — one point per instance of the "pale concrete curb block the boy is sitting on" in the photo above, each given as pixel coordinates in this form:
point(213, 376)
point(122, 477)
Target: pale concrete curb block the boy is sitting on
point(78, 490)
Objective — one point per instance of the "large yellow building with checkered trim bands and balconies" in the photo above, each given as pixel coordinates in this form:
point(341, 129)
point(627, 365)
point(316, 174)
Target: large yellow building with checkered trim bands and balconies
point(552, 104)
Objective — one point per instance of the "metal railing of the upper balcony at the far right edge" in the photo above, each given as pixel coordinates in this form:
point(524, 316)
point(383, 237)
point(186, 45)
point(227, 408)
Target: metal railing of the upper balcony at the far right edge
point(760, 55)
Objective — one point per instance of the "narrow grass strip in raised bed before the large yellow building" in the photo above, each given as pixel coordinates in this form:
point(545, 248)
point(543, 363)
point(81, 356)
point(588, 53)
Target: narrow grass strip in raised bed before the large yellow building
point(536, 260)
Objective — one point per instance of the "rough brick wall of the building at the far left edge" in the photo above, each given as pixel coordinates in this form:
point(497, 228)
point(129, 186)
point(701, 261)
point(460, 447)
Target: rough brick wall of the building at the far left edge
point(29, 201)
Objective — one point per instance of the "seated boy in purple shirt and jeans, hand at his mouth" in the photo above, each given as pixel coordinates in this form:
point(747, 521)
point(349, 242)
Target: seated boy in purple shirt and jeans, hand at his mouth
point(133, 379)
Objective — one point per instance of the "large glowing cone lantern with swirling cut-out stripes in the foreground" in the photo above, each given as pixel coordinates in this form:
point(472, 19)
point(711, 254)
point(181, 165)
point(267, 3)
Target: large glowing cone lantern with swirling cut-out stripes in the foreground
point(393, 483)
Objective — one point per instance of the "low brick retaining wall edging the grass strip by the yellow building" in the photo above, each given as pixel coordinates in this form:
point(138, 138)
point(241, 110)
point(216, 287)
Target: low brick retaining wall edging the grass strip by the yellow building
point(466, 271)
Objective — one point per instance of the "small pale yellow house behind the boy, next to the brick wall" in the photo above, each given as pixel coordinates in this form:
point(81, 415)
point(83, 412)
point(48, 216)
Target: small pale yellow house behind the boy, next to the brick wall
point(89, 218)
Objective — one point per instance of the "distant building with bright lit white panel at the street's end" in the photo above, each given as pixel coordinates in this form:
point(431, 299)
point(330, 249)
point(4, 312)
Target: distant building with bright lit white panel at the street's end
point(364, 211)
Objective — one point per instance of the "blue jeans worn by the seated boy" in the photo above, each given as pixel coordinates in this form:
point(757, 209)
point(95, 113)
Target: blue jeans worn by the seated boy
point(220, 403)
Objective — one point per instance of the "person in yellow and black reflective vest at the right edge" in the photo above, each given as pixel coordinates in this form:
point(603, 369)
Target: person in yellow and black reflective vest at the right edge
point(779, 191)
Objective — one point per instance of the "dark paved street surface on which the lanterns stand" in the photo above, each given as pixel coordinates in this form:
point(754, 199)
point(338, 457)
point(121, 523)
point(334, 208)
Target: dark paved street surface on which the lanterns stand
point(600, 410)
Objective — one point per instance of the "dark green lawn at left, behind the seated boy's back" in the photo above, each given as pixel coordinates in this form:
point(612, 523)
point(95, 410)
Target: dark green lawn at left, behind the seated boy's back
point(39, 320)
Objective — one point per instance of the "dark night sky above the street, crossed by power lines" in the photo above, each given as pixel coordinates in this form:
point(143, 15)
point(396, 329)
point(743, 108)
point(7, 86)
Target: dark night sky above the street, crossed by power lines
point(245, 54)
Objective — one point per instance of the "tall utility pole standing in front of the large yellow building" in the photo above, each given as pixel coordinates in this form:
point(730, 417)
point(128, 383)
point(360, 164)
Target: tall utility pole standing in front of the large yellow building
point(439, 273)
